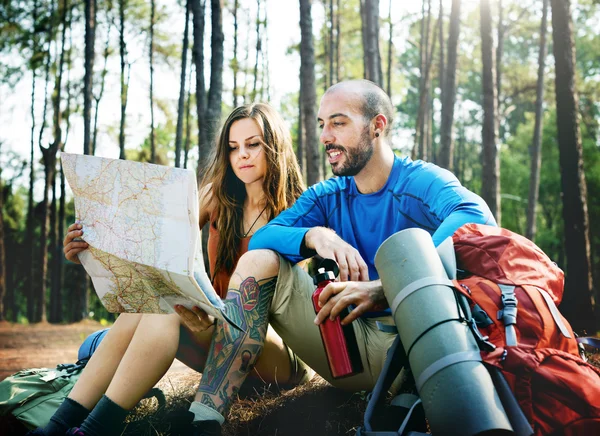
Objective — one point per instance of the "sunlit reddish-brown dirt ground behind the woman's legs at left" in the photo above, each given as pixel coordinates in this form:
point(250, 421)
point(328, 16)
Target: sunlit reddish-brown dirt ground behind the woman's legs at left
point(46, 345)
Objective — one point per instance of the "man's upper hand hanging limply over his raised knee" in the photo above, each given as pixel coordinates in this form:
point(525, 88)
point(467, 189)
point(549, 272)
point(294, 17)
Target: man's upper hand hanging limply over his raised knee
point(329, 245)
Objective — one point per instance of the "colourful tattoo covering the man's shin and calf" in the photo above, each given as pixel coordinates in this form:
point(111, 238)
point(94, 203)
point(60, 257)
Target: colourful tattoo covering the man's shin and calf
point(233, 354)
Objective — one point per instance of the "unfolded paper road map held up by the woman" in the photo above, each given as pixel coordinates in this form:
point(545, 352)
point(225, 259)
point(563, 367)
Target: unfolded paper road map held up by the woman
point(141, 223)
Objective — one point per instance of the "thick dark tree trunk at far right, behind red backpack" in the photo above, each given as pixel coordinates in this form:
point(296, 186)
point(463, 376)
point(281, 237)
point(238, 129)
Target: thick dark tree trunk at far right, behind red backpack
point(578, 303)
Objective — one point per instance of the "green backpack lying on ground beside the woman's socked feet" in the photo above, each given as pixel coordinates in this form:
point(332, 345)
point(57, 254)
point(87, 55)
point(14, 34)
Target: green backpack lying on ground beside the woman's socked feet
point(33, 395)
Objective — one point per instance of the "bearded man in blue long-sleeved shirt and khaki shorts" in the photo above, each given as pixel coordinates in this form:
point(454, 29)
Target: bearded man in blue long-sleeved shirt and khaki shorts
point(346, 219)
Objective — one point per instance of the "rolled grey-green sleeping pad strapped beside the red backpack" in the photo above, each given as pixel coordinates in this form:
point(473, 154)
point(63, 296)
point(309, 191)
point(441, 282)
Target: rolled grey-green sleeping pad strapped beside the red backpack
point(456, 389)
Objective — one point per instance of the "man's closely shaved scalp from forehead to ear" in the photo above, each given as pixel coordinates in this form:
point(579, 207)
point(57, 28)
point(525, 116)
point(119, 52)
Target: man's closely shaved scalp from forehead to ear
point(371, 100)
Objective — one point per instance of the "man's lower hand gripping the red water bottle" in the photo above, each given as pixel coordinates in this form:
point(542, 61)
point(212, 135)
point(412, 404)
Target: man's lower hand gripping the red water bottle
point(336, 296)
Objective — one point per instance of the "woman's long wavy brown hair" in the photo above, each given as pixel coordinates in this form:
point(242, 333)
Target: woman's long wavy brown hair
point(282, 184)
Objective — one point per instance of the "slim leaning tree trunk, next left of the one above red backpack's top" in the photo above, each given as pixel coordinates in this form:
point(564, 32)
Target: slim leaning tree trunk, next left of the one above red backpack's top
point(445, 158)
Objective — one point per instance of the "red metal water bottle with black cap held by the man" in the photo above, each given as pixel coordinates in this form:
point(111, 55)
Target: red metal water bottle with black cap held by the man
point(340, 343)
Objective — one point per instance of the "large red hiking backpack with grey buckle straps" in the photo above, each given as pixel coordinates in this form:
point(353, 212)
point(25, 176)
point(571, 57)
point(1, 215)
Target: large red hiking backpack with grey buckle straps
point(513, 289)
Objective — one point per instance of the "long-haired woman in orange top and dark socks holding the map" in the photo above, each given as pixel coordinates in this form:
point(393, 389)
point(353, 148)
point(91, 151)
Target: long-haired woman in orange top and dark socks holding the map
point(253, 176)
